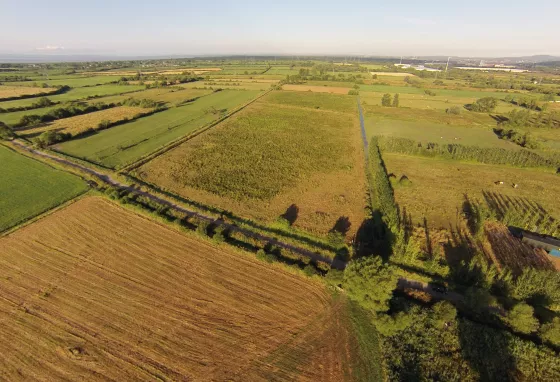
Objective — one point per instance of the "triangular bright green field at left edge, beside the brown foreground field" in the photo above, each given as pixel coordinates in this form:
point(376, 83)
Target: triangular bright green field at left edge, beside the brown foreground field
point(29, 188)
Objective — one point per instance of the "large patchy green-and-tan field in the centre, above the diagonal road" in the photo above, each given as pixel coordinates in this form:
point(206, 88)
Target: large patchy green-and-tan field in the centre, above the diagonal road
point(290, 153)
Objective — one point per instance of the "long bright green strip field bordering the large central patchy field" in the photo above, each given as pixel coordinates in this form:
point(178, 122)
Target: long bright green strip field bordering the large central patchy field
point(126, 143)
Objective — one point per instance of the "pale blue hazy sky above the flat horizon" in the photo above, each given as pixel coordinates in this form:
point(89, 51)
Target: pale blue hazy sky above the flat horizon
point(487, 28)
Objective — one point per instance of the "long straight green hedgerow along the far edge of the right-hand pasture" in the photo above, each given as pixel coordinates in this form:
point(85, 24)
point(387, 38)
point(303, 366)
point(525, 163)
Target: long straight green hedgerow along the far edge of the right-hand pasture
point(518, 158)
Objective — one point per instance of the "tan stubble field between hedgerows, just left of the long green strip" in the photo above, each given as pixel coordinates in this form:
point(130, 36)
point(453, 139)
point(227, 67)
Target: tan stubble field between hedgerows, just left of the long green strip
point(81, 123)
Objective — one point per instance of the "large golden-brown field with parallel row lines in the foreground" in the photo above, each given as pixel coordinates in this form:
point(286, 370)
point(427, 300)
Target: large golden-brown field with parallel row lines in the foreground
point(96, 292)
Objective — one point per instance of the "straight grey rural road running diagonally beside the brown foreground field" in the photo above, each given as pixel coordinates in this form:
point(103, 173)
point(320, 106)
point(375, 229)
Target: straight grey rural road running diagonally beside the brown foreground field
point(336, 263)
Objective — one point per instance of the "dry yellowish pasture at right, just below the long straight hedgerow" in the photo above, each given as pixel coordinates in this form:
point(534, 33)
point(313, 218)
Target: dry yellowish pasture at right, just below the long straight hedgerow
point(438, 187)
